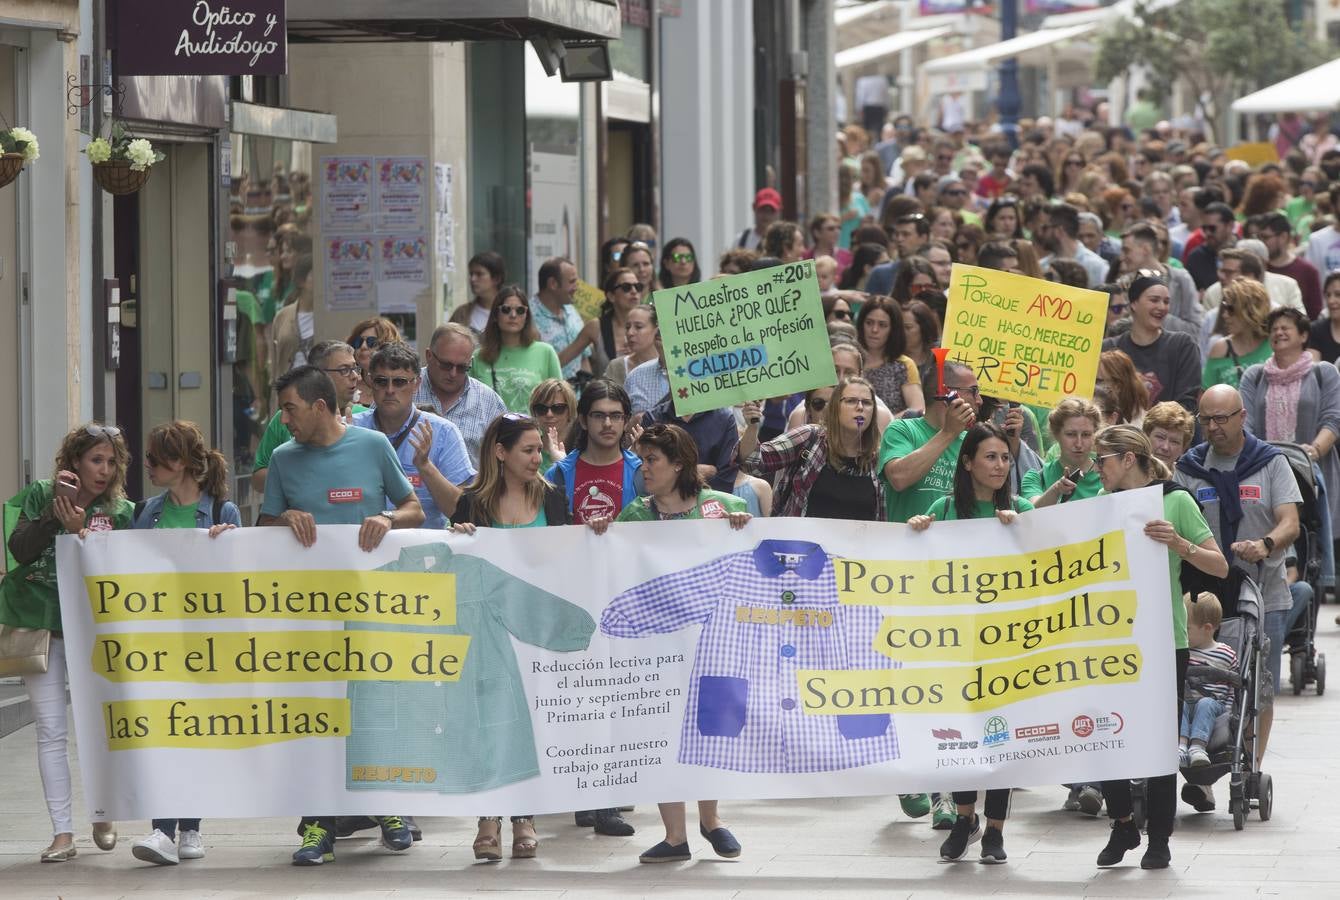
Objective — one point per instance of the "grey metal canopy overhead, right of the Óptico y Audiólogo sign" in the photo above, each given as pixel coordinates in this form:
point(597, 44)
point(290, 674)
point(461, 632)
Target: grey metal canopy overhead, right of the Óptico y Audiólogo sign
point(401, 21)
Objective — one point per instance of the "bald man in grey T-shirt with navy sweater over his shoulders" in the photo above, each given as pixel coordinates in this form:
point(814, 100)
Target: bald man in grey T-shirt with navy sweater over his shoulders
point(1251, 502)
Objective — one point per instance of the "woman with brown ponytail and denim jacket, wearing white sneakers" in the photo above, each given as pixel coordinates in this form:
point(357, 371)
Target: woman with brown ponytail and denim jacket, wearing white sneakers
point(195, 495)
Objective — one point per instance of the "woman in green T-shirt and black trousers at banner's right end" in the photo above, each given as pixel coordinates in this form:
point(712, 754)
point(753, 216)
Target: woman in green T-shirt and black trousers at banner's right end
point(1126, 461)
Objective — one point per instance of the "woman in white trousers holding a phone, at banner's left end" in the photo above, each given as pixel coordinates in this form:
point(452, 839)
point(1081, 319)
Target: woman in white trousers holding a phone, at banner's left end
point(85, 495)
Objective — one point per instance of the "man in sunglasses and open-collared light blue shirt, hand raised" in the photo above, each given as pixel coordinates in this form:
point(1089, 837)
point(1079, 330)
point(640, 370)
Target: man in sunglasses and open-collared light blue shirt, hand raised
point(431, 449)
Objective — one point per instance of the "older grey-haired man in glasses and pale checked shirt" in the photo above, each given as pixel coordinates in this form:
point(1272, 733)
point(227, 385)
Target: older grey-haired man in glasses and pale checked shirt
point(447, 388)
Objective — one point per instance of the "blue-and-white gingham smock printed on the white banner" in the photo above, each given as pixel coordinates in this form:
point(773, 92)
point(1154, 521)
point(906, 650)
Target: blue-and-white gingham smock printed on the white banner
point(766, 617)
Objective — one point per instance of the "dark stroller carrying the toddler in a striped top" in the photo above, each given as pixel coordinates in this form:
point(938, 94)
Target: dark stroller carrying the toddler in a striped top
point(1232, 745)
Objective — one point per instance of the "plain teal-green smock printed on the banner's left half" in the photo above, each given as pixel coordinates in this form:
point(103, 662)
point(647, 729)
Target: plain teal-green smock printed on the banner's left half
point(475, 733)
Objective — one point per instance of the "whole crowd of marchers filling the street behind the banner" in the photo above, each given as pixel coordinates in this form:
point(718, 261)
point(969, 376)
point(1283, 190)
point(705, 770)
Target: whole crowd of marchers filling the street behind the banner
point(1224, 291)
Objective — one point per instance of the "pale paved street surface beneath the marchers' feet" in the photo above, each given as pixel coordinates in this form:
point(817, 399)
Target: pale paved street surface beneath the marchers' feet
point(857, 847)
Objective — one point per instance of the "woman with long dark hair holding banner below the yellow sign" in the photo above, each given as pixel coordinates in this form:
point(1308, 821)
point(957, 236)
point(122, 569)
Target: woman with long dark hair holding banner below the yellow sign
point(982, 491)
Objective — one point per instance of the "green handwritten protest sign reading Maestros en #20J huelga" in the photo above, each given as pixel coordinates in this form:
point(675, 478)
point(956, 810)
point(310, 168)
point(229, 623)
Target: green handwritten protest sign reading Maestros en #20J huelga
point(744, 338)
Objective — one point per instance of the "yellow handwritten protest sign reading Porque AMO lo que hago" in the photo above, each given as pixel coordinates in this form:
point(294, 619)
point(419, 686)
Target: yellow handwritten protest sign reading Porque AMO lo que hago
point(1027, 340)
